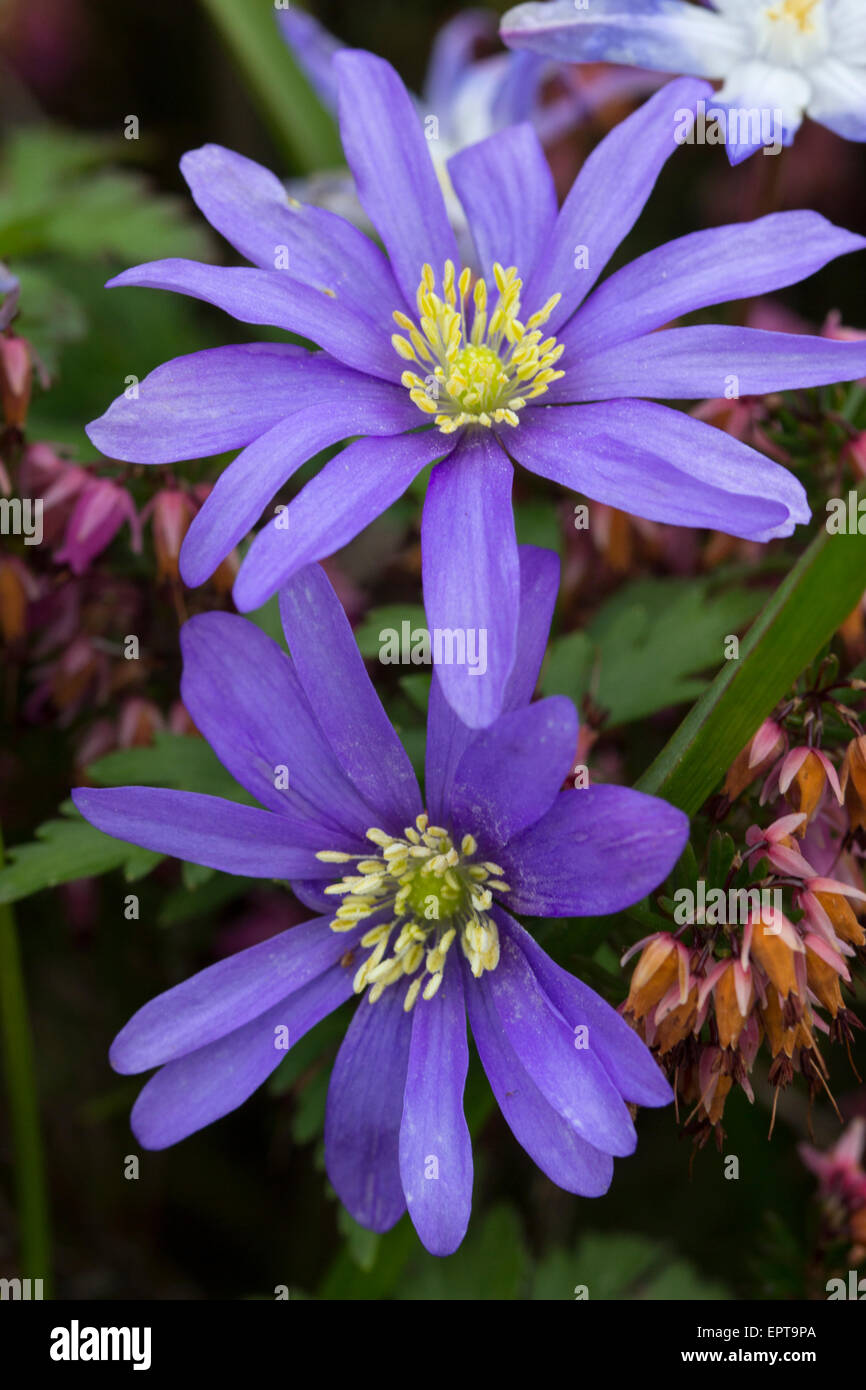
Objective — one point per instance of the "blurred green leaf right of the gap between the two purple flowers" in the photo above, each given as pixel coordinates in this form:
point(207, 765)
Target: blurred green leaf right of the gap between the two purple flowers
point(646, 648)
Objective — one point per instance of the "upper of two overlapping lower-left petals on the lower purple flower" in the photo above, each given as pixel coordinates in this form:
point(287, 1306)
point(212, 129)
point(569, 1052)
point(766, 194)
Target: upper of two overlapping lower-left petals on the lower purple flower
point(230, 995)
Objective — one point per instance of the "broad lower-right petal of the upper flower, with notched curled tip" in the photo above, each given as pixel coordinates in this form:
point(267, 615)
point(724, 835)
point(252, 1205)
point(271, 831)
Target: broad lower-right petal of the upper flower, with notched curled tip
point(660, 464)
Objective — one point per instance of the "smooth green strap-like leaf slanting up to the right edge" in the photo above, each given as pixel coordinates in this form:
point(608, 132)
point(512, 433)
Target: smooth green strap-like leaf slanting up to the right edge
point(801, 618)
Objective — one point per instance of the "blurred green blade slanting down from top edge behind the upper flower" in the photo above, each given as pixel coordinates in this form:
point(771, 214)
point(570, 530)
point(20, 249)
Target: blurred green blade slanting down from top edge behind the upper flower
point(300, 123)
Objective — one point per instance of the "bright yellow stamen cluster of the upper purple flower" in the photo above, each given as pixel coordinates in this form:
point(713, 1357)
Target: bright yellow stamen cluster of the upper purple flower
point(479, 366)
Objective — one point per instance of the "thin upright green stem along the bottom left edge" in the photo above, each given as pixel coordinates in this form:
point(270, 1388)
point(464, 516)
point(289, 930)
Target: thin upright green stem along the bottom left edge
point(17, 1047)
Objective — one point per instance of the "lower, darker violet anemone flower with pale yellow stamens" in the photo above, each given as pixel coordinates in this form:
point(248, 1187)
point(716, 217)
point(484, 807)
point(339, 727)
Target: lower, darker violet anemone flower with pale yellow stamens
point(415, 906)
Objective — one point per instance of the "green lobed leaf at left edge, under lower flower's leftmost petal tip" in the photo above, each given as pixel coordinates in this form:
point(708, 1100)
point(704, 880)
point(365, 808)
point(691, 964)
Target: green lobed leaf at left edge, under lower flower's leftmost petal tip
point(67, 850)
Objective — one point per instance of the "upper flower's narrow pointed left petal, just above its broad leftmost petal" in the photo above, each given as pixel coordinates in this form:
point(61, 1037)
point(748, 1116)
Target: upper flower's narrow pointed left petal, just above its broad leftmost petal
point(276, 298)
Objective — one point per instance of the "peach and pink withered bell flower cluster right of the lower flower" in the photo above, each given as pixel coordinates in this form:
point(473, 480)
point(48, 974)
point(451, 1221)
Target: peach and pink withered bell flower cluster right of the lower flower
point(765, 961)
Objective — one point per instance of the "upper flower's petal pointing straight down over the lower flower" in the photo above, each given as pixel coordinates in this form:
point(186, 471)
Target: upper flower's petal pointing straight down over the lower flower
point(472, 572)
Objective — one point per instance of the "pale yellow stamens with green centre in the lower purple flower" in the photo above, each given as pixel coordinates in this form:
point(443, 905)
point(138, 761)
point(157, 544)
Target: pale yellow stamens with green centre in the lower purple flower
point(433, 894)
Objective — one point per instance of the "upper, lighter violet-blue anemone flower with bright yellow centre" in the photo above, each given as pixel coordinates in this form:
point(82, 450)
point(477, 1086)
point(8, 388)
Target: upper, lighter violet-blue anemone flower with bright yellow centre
point(430, 365)
